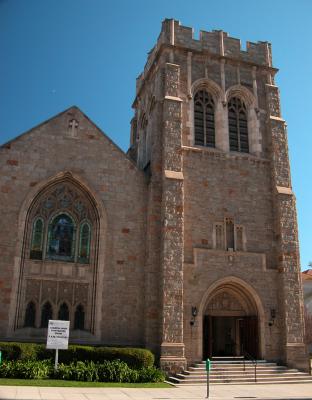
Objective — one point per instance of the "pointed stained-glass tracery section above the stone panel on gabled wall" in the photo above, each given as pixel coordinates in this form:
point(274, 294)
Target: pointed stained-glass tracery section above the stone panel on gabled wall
point(61, 228)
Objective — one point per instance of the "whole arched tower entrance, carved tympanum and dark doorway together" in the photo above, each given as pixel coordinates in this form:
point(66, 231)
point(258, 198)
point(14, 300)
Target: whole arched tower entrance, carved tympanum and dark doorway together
point(230, 322)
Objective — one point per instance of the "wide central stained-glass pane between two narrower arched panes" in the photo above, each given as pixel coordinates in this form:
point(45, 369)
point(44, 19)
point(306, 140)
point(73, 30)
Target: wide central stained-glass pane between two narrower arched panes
point(61, 238)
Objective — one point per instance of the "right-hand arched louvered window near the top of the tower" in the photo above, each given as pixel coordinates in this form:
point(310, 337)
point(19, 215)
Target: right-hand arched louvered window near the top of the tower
point(238, 129)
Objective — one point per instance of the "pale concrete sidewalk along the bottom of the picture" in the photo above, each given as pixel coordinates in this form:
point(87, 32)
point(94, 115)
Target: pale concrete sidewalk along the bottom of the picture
point(284, 391)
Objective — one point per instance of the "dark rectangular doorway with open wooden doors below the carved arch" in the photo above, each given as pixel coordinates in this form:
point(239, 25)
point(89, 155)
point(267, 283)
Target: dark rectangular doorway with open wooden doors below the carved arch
point(230, 336)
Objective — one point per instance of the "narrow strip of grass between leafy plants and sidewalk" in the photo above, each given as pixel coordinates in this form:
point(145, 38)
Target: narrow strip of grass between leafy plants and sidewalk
point(61, 383)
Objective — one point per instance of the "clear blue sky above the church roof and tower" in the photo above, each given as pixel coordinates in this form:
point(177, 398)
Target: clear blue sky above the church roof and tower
point(58, 53)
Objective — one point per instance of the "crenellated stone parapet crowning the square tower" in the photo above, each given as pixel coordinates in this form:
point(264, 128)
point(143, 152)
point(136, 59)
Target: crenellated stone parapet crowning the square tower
point(217, 43)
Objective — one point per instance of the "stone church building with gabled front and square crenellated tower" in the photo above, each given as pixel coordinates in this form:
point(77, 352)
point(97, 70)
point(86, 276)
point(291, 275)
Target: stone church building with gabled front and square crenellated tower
point(187, 244)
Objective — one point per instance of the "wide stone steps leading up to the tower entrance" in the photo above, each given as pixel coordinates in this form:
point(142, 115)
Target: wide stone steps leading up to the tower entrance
point(236, 370)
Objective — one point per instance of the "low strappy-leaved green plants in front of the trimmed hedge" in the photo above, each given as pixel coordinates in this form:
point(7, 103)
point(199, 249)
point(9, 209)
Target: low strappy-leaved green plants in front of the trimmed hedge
point(108, 371)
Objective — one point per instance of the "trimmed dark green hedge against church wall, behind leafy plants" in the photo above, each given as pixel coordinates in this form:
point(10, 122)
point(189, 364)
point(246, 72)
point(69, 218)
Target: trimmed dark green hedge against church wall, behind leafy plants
point(134, 357)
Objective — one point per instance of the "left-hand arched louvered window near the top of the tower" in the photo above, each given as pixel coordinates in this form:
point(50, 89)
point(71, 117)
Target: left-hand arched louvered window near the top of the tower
point(204, 121)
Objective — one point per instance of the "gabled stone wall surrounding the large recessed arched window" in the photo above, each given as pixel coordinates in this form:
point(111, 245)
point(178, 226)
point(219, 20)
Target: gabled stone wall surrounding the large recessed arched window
point(47, 151)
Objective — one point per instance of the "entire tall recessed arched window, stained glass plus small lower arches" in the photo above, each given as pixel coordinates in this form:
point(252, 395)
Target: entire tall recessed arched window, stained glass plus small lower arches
point(63, 225)
